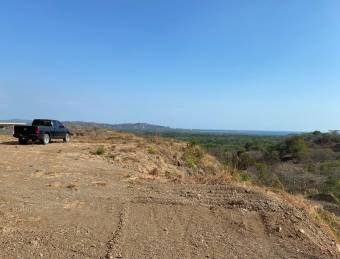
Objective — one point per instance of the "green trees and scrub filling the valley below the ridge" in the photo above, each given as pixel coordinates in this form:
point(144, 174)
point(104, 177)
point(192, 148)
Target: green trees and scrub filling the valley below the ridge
point(308, 164)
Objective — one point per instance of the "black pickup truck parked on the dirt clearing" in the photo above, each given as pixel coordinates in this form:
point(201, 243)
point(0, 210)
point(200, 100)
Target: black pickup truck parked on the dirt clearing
point(43, 131)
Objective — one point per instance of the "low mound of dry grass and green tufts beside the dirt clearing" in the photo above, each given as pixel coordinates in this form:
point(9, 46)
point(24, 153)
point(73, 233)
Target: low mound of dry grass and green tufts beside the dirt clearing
point(152, 157)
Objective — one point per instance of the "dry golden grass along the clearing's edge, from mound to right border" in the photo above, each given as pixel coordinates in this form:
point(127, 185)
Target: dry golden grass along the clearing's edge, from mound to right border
point(177, 161)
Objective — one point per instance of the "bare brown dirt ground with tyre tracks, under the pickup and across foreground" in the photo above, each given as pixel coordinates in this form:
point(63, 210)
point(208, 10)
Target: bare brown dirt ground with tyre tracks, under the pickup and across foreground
point(60, 201)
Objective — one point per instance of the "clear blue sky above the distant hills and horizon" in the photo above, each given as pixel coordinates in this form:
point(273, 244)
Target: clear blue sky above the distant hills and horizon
point(262, 65)
